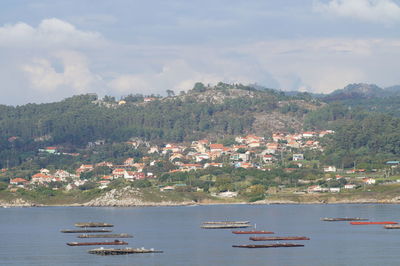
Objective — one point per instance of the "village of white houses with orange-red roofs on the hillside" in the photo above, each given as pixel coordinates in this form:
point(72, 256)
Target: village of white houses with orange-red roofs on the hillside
point(284, 151)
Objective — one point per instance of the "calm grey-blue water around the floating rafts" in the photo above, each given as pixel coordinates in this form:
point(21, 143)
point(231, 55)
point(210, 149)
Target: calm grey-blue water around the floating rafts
point(31, 236)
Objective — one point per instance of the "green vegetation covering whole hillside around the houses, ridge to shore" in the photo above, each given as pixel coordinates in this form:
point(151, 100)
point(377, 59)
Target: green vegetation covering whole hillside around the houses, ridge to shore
point(85, 130)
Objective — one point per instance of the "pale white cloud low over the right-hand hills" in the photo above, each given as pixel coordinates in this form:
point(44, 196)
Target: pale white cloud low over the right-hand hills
point(323, 65)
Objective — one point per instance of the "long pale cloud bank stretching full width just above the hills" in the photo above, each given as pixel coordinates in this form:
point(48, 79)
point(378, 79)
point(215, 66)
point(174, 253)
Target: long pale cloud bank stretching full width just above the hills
point(55, 60)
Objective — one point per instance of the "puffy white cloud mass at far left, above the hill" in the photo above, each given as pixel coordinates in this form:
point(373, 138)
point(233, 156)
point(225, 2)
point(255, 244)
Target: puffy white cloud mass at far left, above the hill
point(34, 53)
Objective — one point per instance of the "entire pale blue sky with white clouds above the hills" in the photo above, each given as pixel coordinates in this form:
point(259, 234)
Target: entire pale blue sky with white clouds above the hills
point(50, 50)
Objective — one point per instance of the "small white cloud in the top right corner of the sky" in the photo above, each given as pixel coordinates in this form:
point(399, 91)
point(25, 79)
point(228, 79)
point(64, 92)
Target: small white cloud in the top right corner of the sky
point(381, 11)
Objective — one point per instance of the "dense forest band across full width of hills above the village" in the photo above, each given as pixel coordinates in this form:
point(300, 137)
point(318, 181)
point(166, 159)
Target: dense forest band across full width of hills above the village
point(366, 126)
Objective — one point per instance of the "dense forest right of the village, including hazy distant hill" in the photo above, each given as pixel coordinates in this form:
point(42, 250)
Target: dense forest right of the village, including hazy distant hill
point(367, 126)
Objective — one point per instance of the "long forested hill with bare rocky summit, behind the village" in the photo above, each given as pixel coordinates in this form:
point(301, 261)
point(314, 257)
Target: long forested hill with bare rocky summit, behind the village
point(203, 111)
